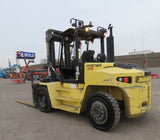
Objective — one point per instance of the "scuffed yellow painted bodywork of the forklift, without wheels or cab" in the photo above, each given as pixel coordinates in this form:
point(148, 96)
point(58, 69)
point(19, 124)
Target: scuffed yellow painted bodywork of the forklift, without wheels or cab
point(101, 77)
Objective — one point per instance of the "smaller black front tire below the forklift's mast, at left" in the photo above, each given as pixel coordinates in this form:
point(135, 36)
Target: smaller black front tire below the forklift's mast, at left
point(45, 105)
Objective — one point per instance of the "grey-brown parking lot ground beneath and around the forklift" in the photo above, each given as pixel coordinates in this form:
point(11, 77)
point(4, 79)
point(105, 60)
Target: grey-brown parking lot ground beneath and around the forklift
point(20, 122)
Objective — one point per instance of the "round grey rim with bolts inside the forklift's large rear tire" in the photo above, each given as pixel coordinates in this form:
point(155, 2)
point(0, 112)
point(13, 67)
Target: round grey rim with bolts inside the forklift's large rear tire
point(99, 112)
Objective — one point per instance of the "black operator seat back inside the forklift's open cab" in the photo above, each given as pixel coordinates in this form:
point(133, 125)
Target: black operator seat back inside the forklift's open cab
point(88, 56)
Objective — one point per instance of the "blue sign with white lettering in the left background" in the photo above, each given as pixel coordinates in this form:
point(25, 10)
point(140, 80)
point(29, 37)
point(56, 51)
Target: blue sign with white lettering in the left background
point(26, 55)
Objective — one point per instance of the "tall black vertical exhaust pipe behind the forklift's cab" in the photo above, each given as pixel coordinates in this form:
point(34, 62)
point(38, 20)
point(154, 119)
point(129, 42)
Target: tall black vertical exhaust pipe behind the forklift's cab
point(110, 46)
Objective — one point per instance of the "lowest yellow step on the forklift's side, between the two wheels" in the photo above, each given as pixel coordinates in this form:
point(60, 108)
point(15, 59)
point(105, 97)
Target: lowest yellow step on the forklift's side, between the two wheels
point(67, 108)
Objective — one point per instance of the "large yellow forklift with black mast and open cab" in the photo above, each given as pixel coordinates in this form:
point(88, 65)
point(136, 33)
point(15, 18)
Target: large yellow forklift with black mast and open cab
point(84, 83)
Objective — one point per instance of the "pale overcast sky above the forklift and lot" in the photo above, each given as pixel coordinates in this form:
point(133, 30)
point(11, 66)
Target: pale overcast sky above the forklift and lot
point(23, 23)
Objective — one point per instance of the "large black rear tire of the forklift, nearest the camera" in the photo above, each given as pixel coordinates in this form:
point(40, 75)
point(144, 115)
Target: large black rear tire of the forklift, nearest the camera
point(112, 107)
